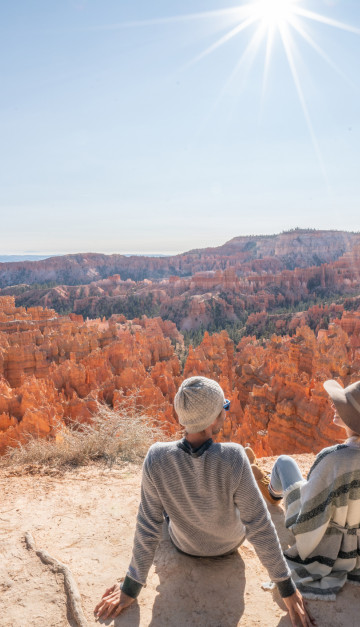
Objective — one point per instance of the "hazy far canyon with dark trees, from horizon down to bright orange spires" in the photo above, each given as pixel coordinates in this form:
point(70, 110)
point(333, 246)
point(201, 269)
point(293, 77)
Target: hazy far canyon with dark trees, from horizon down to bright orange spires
point(249, 284)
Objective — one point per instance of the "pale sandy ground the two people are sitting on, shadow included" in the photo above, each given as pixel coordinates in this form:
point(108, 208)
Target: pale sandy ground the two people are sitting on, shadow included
point(85, 519)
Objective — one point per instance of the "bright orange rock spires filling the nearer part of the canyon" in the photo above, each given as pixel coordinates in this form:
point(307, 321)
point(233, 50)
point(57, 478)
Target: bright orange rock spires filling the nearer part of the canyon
point(55, 370)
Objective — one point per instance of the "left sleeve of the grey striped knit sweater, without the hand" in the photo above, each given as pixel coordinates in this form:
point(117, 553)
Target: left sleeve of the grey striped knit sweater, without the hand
point(148, 528)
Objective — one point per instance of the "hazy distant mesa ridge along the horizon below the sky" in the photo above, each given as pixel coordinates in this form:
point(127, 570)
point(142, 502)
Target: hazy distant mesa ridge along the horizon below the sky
point(294, 249)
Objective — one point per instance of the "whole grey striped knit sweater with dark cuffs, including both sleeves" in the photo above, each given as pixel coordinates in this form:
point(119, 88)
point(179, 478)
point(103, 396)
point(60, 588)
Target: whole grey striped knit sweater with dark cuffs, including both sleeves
point(213, 503)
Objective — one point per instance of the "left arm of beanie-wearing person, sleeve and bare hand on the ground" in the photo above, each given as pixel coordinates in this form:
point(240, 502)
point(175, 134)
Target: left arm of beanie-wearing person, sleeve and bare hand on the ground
point(147, 535)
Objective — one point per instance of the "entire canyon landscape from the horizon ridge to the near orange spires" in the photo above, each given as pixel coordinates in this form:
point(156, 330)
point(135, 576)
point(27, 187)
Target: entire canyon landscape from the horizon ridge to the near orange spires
point(270, 318)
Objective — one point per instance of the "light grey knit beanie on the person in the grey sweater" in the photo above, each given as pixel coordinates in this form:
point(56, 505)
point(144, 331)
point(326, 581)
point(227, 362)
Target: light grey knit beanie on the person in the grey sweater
point(198, 403)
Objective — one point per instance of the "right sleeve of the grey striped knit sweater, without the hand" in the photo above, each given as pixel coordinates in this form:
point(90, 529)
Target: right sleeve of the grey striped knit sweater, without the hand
point(260, 529)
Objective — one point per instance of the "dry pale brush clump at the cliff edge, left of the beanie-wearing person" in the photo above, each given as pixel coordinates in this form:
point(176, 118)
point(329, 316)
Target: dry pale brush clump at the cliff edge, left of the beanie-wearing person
point(111, 437)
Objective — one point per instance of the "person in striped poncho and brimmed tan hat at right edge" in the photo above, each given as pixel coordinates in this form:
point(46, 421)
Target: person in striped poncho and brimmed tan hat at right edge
point(323, 512)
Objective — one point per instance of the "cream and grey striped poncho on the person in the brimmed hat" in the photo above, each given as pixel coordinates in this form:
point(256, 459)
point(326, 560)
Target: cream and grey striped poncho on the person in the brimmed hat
point(324, 515)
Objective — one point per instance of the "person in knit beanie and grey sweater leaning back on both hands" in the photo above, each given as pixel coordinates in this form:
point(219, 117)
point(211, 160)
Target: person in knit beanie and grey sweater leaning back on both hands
point(208, 496)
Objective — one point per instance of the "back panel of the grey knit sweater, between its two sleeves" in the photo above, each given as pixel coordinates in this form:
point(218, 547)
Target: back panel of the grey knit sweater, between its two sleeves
point(198, 491)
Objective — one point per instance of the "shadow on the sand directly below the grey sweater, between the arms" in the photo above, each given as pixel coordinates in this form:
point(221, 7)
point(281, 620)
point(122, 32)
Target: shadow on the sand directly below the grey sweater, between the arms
point(197, 591)
